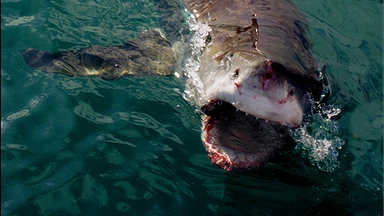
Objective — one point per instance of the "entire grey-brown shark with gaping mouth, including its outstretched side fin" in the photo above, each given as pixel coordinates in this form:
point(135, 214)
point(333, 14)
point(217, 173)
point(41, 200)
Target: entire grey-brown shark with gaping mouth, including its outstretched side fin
point(257, 70)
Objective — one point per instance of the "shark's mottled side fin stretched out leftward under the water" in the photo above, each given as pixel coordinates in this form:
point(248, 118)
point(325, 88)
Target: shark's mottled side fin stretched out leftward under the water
point(148, 54)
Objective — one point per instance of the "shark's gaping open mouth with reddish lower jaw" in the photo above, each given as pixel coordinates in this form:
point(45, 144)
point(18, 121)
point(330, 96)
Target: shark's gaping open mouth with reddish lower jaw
point(235, 140)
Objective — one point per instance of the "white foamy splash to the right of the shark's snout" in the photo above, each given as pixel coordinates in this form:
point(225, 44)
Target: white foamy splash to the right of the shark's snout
point(319, 140)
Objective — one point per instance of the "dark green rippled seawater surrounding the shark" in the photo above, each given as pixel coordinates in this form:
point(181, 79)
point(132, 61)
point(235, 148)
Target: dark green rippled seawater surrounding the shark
point(86, 146)
